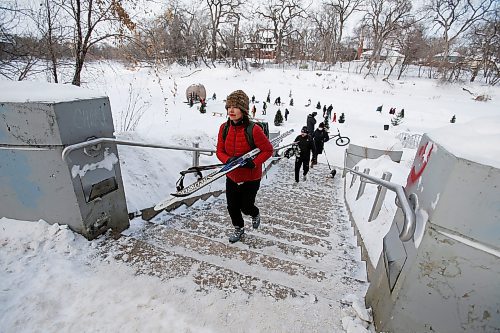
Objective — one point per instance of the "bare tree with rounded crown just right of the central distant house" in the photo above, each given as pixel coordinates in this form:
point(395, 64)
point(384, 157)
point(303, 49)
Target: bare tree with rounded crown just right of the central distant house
point(281, 14)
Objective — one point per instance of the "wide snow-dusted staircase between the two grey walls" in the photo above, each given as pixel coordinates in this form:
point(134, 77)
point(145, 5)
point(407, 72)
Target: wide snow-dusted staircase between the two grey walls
point(302, 259)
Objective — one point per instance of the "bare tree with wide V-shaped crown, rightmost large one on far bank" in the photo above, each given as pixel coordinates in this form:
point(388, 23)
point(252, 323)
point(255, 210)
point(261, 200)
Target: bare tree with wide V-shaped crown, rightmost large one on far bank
point(454, 17)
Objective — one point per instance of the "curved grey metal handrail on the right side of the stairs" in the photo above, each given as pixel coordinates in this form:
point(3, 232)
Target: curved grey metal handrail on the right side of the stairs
point(409, 214)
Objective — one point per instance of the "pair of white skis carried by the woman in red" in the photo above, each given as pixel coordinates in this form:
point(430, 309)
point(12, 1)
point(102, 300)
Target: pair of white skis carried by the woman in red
point(194, 187)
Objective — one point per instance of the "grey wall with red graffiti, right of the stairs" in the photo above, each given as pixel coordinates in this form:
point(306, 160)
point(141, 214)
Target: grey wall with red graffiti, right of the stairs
point(447, 278)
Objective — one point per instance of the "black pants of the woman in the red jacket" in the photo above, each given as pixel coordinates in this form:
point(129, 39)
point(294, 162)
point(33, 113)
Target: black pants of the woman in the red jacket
point(241, 199)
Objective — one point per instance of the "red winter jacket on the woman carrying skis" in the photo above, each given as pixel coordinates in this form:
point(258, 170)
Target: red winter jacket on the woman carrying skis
point(236, 145)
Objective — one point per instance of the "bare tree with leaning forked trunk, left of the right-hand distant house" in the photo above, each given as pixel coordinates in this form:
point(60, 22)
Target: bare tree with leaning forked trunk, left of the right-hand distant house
point(384, 18)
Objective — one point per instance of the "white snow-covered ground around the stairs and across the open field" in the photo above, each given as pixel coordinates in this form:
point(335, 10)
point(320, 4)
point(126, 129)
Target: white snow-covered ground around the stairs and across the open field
point(53, 280)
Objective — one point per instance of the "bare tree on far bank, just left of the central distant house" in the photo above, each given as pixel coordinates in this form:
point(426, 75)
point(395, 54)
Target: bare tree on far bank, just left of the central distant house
point(221, 11)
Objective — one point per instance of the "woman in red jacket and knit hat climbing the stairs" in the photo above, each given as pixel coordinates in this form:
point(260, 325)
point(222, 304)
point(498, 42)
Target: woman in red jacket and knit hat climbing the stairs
point(242, 184)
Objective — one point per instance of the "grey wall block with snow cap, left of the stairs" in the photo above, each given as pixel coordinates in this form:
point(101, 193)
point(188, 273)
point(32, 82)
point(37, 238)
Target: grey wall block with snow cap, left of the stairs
point(35, 183)
